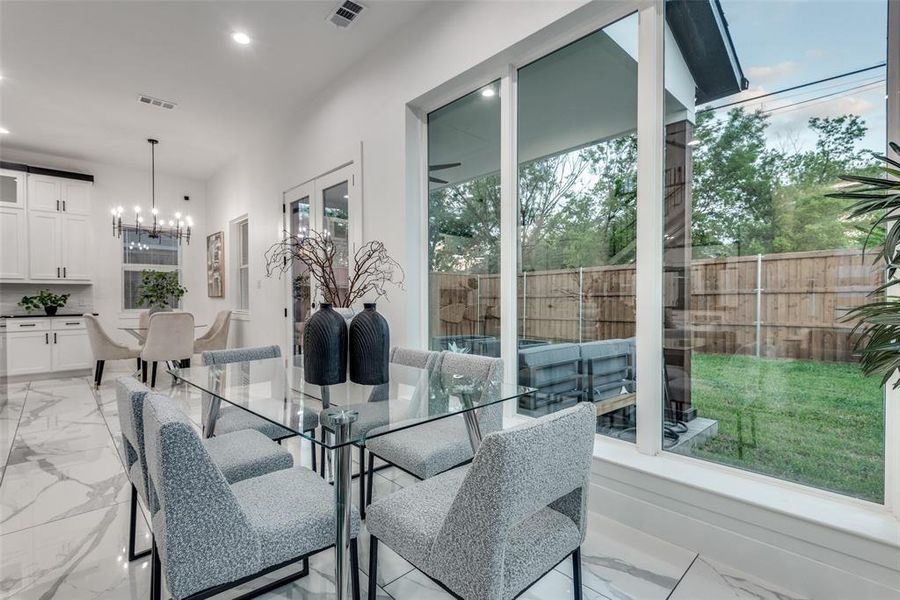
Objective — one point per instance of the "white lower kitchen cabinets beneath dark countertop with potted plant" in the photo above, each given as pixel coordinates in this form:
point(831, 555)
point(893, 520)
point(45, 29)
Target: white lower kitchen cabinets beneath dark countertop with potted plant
point(45, 345)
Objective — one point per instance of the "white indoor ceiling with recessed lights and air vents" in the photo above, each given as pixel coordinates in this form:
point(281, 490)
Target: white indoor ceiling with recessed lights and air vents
point(72, 72)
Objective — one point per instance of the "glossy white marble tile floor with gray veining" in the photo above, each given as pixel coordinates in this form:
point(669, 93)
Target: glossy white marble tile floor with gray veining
point(64, 518)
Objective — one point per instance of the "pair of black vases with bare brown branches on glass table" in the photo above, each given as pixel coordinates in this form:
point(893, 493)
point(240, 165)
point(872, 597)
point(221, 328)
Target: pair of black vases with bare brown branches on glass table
point(325, 338)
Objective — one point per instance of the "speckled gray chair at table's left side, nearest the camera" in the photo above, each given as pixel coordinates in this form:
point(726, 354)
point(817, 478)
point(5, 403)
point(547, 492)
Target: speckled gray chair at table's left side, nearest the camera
point(212, 536)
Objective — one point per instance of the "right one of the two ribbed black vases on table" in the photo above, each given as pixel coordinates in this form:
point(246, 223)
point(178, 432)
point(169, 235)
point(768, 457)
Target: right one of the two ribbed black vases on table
point(370, 343)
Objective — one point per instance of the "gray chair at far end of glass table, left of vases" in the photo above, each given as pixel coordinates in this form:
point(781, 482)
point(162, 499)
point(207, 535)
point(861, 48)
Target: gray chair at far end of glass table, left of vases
point(219, 419)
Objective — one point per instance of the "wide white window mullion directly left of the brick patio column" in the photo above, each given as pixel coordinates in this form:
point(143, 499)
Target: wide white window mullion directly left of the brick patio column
point(649, 273)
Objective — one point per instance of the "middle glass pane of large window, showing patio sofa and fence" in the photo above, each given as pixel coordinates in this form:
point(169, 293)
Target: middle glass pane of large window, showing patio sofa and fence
point(577, 150)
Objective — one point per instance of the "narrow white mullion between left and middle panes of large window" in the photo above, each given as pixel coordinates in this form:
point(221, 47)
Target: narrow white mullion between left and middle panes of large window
point(509, 231)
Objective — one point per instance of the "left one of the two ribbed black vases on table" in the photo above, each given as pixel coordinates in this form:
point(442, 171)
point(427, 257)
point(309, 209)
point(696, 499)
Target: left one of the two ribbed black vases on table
point(325, 347)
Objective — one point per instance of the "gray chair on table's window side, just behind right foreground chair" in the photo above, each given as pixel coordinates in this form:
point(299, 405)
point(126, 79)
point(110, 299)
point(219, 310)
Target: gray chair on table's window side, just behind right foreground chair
point(436, 447)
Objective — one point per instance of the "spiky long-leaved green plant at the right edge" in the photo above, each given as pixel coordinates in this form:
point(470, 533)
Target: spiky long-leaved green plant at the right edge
point(878, 322)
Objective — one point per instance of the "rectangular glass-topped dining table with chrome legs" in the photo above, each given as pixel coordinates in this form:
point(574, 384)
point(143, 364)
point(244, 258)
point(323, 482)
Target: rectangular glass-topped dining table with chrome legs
point(347, 414)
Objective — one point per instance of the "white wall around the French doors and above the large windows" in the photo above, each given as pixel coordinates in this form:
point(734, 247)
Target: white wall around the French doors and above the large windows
point(368, 104)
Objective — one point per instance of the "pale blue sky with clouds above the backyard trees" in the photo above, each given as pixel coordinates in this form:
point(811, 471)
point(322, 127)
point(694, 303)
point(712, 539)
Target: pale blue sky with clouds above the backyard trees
point(781, 43)
